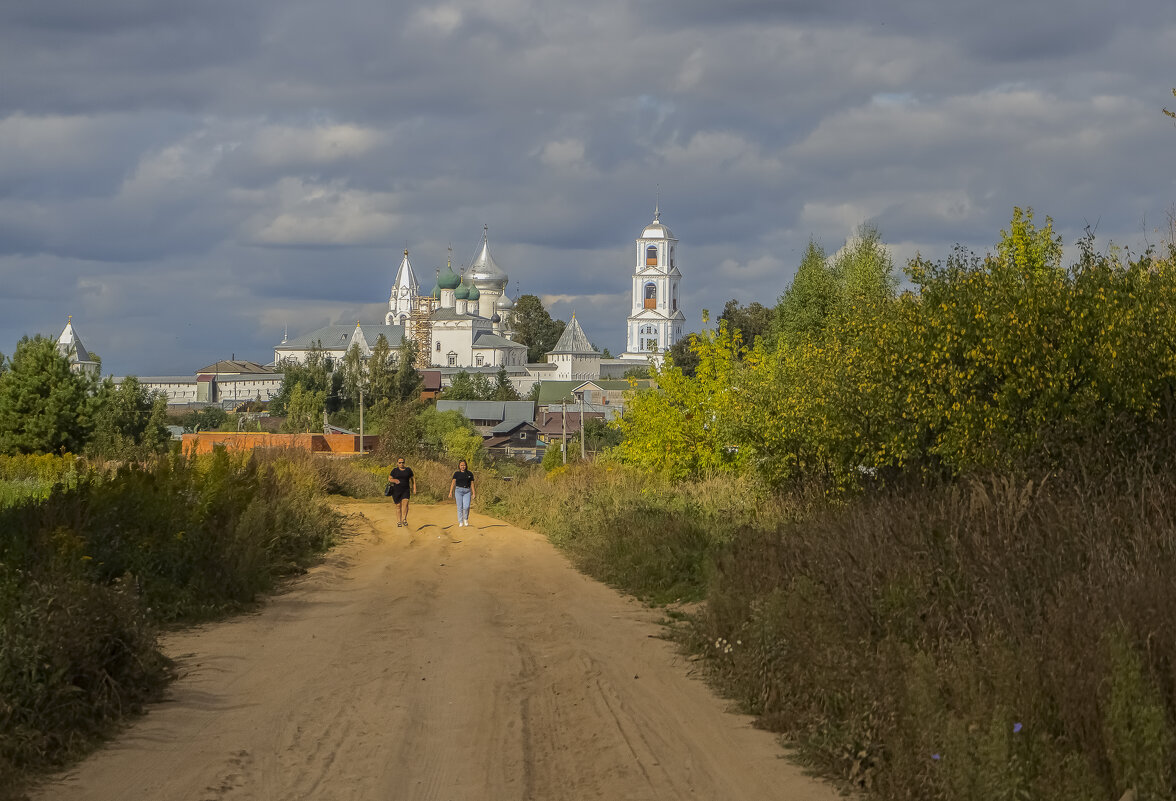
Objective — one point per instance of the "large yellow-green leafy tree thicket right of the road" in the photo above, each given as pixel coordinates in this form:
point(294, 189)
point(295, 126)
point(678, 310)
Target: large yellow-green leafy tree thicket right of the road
point(987, 362)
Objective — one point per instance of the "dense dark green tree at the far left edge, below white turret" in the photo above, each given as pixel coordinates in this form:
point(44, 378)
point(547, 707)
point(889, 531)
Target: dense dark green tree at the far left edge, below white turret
point(45, 408)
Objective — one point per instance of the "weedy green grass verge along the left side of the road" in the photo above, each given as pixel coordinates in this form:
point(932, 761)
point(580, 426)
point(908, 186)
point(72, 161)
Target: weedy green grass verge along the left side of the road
point(92, 568)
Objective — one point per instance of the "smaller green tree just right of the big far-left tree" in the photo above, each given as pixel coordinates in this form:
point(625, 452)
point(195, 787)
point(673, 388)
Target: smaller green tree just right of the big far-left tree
point(130, 423)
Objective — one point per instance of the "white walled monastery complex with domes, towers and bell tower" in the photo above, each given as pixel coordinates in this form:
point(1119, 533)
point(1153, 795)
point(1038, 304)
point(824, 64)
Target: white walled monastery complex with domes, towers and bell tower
point(463, 323)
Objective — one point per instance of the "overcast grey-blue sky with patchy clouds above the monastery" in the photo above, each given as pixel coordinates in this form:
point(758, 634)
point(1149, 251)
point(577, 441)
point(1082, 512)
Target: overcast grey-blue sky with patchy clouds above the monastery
point(188, 179)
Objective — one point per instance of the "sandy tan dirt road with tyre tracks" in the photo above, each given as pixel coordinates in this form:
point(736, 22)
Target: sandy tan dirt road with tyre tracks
point(412, 667)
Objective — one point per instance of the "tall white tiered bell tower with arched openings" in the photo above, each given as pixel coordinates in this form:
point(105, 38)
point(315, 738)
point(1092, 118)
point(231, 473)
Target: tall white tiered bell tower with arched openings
point(656, 322)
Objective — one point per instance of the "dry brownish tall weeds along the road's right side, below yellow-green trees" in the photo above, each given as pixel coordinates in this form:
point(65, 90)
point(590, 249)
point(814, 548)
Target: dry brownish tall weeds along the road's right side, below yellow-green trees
point(1000, 638)
